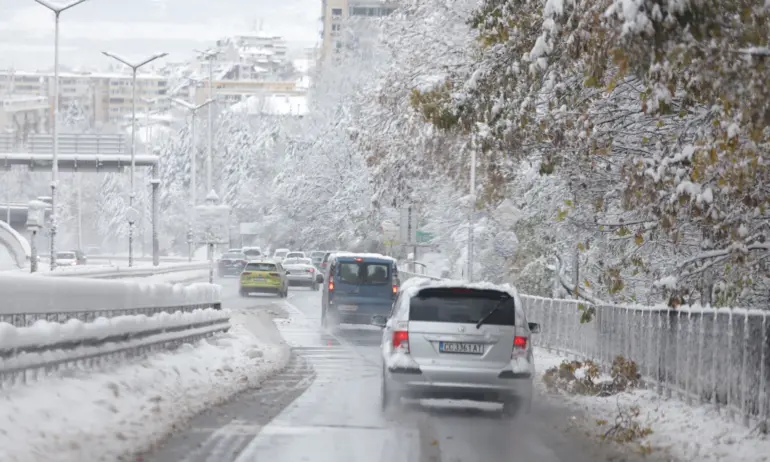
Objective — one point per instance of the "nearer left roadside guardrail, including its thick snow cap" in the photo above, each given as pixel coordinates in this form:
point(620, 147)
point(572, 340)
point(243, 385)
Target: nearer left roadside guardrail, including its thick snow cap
point(27, 352)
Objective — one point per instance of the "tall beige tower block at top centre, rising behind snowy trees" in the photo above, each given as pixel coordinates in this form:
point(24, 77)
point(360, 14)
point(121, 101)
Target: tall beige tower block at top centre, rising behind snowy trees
point(334, 13)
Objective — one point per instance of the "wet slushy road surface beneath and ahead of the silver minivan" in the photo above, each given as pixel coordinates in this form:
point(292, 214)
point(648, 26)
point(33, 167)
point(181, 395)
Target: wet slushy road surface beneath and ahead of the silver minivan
point(325, 407)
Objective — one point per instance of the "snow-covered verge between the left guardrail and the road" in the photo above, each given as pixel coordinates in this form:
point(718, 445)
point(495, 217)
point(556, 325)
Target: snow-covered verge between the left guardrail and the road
point(113, 414)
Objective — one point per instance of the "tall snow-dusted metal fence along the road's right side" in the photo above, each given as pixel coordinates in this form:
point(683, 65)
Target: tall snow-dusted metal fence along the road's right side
point(700, 355)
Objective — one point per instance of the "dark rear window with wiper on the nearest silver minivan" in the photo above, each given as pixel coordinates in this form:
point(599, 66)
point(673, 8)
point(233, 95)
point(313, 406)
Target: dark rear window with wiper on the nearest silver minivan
point(459, 305)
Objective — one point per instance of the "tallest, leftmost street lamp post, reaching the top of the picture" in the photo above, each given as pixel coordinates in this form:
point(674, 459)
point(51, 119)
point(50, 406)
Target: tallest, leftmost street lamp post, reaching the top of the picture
point(57, 10)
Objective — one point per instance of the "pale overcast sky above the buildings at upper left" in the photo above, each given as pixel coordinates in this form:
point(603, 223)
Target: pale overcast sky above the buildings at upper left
point(137, 28)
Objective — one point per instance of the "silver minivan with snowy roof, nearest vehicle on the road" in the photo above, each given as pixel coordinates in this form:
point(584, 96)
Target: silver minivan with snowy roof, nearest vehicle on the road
point(455, 340)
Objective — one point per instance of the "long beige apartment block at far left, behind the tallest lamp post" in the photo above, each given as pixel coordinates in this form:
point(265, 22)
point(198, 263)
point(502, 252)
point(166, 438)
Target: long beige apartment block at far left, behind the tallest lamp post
point(103, 98)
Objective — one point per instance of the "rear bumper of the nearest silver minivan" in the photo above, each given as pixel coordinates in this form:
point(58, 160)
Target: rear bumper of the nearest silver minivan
point(476, 385)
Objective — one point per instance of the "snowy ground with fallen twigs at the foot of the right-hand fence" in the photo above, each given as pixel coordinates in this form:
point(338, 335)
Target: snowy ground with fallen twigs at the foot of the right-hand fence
point(685, 433)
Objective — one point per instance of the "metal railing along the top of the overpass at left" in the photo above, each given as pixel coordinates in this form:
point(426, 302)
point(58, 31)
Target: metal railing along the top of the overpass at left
point(42, 143)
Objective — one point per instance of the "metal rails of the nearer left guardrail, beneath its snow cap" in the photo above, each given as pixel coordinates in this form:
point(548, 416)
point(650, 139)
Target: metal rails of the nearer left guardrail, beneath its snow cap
point(26, 363)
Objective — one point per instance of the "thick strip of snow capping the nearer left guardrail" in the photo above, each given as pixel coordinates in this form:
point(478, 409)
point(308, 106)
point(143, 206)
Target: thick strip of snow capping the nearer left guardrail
point(43, 333)
